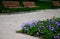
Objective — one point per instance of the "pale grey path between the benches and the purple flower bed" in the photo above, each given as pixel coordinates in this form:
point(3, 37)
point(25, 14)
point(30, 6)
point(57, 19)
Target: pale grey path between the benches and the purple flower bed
point(10, 23)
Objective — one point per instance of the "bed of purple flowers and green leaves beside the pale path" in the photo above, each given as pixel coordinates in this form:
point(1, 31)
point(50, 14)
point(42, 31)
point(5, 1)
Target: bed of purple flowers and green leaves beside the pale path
point(48, 29)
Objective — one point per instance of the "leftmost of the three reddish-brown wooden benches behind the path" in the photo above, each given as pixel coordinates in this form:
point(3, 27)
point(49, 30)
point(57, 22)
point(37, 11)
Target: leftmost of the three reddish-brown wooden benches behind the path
point(11, 4)
